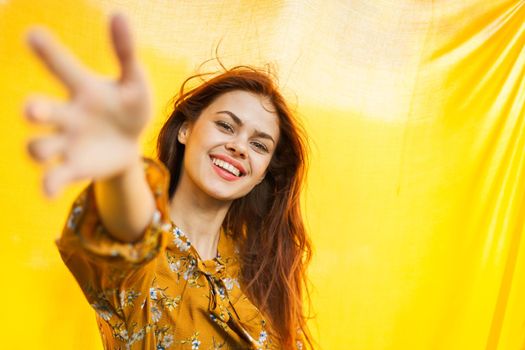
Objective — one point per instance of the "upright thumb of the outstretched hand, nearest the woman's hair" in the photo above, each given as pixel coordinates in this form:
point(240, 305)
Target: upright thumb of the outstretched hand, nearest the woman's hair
point(123, 45)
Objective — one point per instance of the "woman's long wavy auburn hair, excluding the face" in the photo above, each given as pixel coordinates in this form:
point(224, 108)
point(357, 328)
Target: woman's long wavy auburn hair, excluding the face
point(267, 222)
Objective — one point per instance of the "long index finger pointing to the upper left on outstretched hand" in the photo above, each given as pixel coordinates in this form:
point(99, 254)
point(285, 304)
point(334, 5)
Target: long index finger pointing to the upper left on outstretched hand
point(56, 58)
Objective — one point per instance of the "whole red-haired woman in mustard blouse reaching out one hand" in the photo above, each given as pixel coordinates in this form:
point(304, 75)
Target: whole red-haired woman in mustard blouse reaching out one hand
point(208, 254)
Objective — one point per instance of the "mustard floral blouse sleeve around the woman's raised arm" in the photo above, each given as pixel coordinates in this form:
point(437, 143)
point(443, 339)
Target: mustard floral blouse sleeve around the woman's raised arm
point(102, 264)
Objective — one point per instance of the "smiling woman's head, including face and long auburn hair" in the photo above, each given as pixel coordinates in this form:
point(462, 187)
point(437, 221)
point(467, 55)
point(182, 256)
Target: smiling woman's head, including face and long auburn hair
point(234, 140)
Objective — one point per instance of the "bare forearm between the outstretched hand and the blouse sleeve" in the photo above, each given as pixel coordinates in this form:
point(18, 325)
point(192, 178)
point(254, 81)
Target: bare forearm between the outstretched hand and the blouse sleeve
point(125, 203)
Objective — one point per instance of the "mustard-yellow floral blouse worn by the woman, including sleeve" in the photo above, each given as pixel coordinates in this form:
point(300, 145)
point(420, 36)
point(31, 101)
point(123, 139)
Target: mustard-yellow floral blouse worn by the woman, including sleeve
point(158, 293)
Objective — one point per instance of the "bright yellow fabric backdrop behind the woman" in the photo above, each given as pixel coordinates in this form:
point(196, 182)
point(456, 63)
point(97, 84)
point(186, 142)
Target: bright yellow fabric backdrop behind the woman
point(416, 195)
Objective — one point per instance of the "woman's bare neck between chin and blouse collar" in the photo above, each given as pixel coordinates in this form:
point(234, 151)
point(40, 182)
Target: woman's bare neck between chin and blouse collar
point(199, 216)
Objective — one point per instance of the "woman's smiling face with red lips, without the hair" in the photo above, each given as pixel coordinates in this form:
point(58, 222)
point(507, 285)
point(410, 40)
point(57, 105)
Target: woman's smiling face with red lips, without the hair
point(230, 145)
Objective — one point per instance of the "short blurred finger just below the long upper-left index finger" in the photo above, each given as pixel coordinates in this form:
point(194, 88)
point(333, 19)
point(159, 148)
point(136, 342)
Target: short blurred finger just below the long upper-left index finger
point(44, 111)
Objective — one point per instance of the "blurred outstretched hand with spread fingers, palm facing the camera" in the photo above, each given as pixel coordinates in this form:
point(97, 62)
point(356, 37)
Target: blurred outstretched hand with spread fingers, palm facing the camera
point(96, 130)
